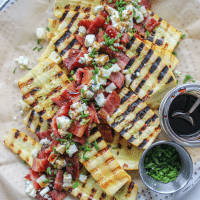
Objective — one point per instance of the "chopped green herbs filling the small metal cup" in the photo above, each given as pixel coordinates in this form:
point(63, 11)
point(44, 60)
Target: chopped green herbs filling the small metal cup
point(163, 163)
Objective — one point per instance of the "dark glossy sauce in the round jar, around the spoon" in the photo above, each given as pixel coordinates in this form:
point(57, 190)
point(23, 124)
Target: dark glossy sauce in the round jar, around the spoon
point(180, 126)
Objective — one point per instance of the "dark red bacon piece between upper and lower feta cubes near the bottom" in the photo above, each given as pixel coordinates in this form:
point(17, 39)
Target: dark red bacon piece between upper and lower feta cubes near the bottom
point(75, 168)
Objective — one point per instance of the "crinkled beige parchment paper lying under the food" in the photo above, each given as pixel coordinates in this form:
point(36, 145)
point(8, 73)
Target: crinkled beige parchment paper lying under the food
point(17, 38)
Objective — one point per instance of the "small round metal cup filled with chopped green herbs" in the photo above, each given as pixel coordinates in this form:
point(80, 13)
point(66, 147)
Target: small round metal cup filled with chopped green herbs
point(165, 167)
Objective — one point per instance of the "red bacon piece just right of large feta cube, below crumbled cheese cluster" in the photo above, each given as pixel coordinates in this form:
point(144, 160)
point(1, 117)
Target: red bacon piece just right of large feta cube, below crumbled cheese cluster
point(77, 129)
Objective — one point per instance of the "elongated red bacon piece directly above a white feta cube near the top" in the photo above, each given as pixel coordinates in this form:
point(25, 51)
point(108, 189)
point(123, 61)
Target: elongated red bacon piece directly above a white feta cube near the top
point(96, 25)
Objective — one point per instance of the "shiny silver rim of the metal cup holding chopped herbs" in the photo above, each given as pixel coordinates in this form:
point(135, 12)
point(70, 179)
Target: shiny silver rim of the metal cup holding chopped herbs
point(171, 143)
